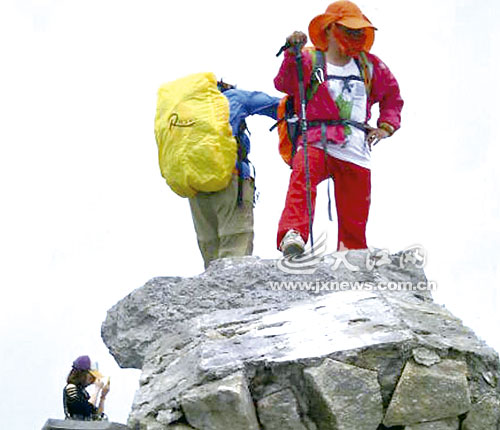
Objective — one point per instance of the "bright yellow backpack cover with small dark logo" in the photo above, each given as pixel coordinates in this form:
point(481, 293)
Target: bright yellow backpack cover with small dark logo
point(196, 147)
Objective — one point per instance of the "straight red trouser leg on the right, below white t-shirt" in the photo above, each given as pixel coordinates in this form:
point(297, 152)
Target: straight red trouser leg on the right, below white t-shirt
point(352, 198)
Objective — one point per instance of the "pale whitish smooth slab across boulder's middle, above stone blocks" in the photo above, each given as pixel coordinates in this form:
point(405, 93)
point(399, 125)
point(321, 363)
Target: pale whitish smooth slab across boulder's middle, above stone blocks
point(226, 341)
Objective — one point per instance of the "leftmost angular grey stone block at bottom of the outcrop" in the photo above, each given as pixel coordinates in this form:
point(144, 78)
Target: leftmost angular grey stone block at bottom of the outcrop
point(224, 404)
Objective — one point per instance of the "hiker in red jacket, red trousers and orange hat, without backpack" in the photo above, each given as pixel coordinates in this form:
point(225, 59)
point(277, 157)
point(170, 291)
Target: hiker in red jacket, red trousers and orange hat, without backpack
point(342, 81)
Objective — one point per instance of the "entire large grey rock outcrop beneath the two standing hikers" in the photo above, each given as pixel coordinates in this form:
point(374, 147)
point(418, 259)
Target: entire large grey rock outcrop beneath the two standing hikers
point(341, 346)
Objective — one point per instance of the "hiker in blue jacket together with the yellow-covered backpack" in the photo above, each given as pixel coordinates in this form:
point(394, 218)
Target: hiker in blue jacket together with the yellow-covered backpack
point(203, 146)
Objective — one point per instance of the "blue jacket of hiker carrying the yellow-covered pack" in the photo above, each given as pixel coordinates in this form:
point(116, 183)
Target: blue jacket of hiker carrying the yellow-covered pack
point(241, 105)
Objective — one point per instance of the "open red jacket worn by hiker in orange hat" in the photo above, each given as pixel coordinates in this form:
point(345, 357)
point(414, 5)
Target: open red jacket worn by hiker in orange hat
point(384, 90)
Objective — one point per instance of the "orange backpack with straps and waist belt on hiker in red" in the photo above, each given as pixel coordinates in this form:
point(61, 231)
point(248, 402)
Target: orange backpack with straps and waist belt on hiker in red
point(288, 120)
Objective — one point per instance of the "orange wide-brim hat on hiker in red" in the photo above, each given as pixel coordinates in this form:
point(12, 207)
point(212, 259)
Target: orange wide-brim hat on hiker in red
point(341, 12)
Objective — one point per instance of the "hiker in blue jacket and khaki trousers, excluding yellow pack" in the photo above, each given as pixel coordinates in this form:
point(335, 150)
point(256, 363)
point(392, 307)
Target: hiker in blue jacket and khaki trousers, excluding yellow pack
point(223, 220)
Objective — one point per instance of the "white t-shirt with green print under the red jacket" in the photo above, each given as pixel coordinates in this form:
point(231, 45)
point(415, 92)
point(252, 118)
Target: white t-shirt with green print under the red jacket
point(351, 98)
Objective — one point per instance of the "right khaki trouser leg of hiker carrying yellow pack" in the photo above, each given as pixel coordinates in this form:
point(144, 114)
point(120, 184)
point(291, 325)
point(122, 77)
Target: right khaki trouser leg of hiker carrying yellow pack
point(236, 221)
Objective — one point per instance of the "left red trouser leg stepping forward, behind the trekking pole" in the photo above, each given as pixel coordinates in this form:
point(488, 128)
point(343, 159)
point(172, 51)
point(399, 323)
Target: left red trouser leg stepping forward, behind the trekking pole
point(295, 215)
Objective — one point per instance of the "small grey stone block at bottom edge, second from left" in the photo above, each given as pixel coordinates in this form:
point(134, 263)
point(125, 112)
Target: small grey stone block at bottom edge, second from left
point(280, 411)
